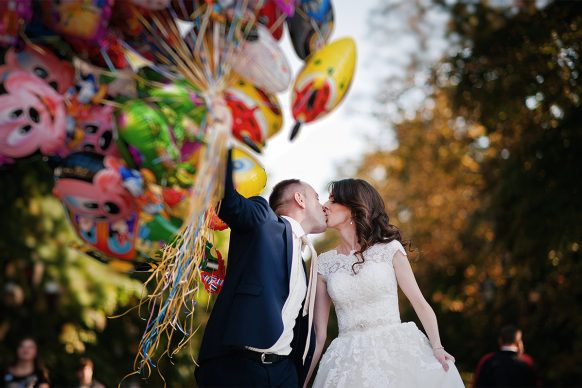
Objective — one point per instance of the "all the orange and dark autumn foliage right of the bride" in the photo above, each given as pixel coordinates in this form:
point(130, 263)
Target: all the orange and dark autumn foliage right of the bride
point(486, 182)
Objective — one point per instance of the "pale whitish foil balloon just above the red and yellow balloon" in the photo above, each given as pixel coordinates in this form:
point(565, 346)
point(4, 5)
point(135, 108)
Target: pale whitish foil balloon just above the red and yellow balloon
point(263, 63)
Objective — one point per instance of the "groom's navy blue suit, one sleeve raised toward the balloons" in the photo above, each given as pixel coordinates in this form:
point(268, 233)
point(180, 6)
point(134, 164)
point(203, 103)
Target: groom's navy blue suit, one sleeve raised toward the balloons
point(247, 312)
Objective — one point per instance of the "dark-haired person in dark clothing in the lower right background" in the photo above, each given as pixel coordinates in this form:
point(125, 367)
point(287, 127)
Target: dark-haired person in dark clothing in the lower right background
point(509, 366)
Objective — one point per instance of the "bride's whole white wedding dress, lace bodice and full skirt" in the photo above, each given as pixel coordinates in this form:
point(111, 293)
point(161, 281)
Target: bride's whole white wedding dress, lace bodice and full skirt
point(374, 349)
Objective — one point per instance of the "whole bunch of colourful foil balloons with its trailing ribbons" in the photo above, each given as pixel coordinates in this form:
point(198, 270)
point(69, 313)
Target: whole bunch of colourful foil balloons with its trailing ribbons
point(135, 104)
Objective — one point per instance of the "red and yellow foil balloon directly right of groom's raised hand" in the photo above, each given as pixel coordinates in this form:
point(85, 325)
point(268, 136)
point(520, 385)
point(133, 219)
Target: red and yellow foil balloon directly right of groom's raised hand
point(256, 115)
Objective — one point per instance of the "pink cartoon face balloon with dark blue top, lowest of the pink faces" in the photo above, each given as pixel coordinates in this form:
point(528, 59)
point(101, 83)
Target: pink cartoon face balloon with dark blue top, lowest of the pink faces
point(94, 187)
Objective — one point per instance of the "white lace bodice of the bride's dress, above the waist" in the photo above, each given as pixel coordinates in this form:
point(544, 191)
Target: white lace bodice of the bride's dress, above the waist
point(369, 298)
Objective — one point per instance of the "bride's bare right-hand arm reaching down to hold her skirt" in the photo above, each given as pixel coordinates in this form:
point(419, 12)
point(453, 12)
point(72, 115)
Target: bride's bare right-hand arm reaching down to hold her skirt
point(408, 285)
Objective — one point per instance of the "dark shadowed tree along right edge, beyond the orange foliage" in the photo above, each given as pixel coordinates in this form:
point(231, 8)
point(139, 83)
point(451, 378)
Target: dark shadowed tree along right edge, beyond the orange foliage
point(518, 75)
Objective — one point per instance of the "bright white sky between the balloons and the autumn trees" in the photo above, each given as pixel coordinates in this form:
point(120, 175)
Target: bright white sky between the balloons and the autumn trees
point(339, 138)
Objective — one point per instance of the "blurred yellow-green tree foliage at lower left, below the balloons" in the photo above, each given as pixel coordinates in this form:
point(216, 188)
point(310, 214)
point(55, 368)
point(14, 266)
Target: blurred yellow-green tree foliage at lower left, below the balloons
point(66, 299)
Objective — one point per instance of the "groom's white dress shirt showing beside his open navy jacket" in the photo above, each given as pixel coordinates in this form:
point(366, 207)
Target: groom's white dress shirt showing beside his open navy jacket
point(297, 292)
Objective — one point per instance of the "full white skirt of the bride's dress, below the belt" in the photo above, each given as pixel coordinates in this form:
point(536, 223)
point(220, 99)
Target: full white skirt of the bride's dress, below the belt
point(395, 355)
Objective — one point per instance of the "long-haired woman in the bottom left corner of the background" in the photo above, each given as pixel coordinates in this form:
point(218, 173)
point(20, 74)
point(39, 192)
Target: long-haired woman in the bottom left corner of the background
point(27, 370)
